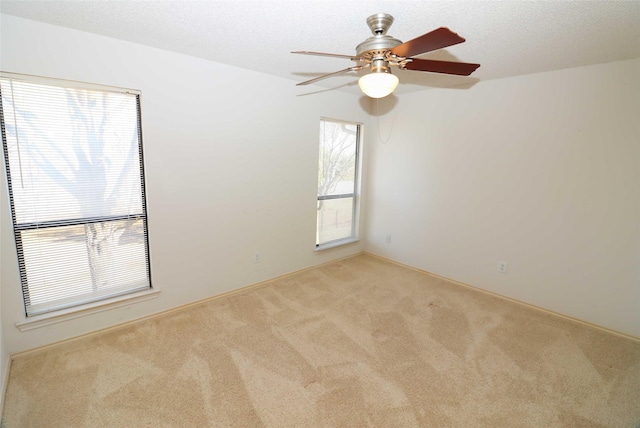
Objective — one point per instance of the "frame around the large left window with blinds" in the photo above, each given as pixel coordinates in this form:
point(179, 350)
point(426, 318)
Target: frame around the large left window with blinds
point(87, 303)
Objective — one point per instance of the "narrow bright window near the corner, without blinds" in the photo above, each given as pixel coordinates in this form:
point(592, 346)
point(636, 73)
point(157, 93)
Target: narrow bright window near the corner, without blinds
point(338, 183)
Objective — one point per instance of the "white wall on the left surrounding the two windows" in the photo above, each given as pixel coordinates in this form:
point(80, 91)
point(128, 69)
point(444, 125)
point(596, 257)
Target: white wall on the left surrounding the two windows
point(231, 168)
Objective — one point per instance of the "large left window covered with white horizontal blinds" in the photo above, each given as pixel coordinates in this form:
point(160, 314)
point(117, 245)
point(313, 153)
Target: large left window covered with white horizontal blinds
point(73, 155)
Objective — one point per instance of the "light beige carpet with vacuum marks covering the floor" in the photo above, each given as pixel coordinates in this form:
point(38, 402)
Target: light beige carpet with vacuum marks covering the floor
point(357, 343)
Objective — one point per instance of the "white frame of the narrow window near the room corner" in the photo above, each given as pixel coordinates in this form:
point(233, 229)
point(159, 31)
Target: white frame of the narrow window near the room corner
point(355, 195)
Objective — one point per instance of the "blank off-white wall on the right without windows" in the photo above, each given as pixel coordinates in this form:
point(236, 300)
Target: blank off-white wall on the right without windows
point(541, 171)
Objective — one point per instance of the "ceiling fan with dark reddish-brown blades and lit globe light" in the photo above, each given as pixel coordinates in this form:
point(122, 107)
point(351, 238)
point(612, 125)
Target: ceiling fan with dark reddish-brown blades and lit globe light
point(381, 51)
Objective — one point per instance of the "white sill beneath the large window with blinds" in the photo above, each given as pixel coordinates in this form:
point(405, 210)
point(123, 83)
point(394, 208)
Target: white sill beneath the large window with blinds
point(80, 311)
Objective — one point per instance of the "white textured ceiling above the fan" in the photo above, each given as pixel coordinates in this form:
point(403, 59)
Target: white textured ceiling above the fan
point(508, 38)
